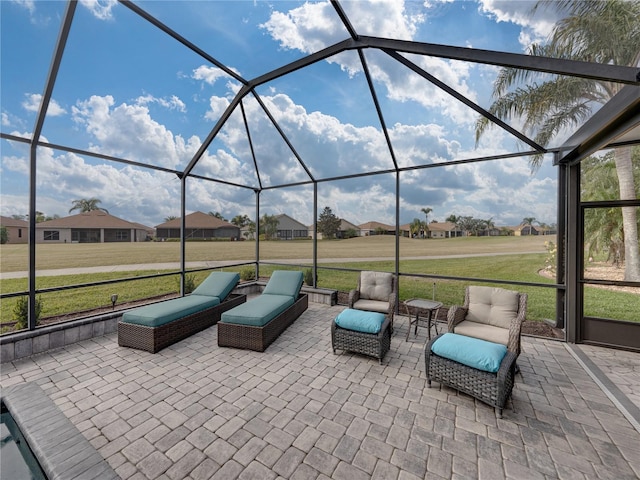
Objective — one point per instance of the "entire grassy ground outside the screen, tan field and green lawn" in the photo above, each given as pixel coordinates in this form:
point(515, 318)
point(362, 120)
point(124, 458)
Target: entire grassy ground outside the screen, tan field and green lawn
point(417, 257)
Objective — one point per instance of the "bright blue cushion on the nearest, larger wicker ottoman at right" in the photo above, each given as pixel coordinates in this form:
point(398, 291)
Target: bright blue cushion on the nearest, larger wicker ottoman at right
point(473, 352)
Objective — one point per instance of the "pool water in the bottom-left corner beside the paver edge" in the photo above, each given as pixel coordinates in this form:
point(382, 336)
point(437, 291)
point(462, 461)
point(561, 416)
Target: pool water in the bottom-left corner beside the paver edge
point(18, 462)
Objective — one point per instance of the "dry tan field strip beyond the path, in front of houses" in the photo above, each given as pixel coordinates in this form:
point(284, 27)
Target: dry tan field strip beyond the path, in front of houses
point(14, 258)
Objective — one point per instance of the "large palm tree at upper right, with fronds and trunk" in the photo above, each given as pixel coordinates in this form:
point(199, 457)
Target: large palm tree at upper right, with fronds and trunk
point(606, 32)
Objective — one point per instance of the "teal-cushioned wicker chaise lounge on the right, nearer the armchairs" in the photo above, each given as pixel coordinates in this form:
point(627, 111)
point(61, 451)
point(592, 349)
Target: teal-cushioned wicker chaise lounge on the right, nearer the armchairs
point(255, 324)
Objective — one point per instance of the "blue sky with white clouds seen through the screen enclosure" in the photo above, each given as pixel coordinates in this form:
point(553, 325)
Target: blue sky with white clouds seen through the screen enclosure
point(126, 89)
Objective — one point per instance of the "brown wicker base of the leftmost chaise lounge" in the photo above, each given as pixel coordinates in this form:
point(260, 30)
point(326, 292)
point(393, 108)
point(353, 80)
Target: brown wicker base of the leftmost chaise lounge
point(154, 339)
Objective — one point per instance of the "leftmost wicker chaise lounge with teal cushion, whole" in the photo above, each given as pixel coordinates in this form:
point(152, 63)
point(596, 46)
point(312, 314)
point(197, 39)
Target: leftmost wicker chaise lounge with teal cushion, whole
point(154, 327)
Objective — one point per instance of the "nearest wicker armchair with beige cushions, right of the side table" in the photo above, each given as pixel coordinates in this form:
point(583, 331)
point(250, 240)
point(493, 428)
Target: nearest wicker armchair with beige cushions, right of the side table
point(492, 314)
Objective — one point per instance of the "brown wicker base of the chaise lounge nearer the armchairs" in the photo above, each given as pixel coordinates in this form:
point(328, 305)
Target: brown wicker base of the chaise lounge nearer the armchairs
point(259, 338)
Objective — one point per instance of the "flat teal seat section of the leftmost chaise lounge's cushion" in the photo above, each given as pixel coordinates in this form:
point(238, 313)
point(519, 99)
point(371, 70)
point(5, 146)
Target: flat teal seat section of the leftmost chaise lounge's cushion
point(164, 312)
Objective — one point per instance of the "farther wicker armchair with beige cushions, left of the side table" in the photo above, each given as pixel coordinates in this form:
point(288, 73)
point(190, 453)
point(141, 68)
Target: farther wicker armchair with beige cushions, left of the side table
point(376, 292)
